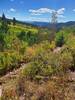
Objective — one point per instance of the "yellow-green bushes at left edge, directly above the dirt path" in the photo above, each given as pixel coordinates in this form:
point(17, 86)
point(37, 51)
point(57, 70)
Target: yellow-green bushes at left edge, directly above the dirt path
point(8, 61)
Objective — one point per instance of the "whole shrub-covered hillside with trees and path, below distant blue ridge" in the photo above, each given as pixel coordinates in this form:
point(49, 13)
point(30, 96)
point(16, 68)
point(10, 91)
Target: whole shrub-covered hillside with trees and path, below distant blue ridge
point(36, 63)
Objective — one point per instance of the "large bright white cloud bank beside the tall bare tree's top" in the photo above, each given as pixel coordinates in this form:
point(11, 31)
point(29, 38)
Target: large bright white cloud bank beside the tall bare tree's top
point(59, 12)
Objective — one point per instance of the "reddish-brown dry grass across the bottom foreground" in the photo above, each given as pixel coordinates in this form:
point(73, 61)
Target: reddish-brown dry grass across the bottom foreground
point(54, 89)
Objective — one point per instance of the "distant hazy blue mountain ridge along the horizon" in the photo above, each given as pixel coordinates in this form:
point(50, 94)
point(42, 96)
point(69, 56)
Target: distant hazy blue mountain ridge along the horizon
point(44, 24)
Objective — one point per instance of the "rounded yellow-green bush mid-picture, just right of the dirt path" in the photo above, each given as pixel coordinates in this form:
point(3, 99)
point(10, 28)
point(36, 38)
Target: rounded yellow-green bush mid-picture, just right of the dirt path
point(44, 64)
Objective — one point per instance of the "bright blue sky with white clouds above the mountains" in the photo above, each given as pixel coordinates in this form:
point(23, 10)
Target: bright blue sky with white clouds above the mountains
point(38, 10)
